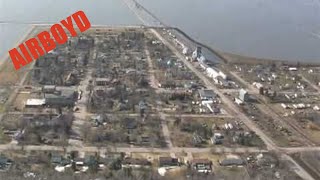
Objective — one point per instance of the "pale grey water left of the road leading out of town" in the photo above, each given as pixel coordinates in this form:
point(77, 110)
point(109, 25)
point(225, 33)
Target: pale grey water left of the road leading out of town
point(108, 12)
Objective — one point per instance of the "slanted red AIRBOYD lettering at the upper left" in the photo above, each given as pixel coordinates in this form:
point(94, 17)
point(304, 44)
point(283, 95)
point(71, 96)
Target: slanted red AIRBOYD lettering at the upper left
point(46, 41)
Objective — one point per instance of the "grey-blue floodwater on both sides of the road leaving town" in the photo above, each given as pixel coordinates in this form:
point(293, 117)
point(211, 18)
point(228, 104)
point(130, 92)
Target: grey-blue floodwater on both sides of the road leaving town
point(274, 29)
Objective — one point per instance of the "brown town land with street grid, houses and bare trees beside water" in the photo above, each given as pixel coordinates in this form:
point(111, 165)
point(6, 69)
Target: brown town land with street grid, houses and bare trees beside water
point(148, 102)
